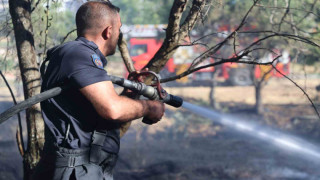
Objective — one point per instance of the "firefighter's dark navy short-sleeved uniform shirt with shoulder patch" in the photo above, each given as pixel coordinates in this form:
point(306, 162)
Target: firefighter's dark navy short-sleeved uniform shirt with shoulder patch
point(77, 63)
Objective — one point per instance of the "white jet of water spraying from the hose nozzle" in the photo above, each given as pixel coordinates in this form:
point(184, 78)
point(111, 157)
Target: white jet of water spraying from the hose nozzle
point(279, 139)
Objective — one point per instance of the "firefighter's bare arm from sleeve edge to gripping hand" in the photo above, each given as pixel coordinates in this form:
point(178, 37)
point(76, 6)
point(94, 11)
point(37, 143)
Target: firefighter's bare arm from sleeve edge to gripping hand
point(111, 106)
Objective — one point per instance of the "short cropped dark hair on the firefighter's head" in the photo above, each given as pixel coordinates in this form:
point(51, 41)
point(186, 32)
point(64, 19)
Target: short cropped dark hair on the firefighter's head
point(90, 15)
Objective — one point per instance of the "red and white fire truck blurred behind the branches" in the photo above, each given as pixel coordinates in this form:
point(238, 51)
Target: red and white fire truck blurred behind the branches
point(144, 43)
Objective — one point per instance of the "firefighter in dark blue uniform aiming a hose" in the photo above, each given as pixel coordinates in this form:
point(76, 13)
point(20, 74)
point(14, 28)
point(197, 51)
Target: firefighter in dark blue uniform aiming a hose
point(82, 124)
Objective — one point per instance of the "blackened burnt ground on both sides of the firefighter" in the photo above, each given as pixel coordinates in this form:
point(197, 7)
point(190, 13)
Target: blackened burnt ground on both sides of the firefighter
point(187, 147)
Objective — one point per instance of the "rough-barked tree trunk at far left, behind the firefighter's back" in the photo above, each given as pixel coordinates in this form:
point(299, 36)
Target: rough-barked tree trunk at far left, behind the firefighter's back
point(20, 11)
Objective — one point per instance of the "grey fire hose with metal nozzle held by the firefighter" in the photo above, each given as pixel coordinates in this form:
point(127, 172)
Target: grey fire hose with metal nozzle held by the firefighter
point(152, 92)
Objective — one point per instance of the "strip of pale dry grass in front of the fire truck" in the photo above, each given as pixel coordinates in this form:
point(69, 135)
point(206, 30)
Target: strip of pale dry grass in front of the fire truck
point(277, 91)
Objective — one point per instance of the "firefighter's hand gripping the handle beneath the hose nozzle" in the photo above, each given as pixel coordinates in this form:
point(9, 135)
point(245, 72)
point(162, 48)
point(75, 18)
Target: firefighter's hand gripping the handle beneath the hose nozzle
point(156, 111)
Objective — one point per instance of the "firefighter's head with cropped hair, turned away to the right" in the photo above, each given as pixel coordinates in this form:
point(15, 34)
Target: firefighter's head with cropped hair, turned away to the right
point(99, 21)
